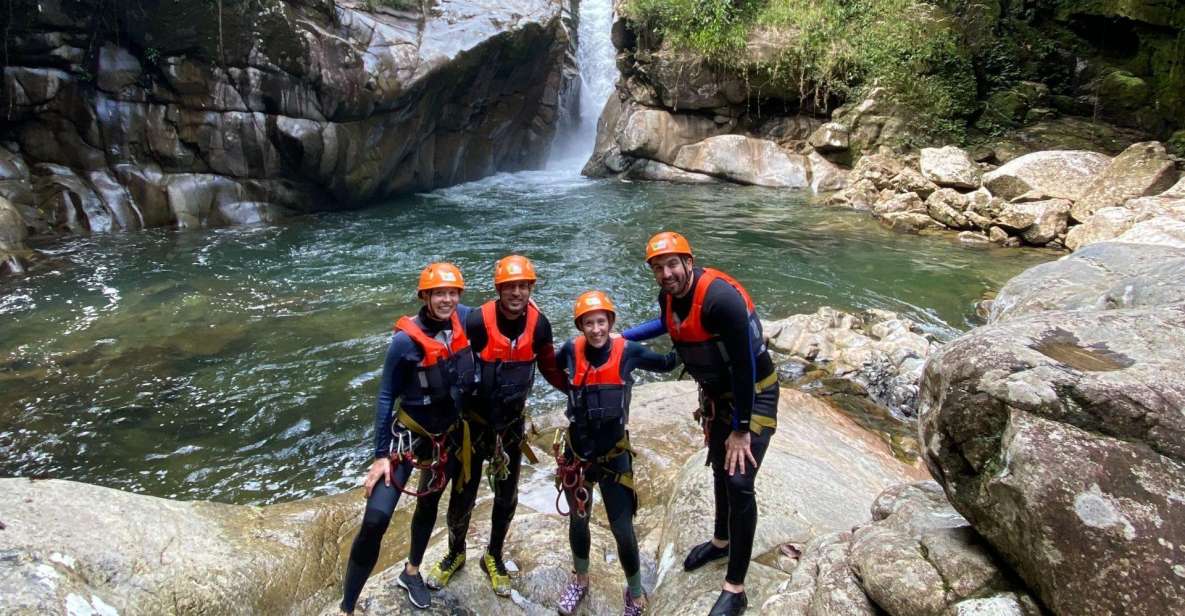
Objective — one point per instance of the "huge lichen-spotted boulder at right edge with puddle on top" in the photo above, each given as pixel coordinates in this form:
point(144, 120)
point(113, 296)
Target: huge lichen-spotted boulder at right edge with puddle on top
point(1060, 438)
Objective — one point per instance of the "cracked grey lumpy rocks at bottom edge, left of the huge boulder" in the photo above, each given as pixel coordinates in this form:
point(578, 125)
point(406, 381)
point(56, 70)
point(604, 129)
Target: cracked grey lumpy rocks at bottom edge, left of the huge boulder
point(917, 557)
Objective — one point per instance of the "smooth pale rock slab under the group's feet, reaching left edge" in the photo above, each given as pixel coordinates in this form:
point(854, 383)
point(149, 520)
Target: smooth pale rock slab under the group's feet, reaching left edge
point(140, 555)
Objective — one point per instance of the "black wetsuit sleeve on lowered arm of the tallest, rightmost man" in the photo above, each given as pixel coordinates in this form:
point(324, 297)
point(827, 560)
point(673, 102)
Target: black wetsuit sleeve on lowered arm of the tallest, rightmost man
point(727, 316)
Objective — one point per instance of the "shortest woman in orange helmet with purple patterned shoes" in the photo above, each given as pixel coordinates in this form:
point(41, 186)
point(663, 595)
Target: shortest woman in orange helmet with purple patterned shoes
point(595, 450)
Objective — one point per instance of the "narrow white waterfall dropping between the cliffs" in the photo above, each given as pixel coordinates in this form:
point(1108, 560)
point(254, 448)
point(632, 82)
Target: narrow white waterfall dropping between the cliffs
point(597, 60)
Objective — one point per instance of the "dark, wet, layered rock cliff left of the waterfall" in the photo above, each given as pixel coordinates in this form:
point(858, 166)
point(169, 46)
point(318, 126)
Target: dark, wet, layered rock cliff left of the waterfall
point(161, 113)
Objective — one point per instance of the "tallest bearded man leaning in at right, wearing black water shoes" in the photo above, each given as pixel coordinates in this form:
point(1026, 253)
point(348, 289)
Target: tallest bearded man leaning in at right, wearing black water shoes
point(716, 332)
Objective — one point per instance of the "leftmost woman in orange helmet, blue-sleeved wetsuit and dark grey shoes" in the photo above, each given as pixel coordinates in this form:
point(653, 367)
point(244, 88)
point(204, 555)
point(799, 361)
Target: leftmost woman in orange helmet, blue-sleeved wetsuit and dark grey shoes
point(428, 369)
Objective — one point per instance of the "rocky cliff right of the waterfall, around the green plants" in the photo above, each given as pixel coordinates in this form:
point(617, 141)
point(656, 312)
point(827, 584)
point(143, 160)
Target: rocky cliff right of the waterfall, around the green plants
point(1043, 74)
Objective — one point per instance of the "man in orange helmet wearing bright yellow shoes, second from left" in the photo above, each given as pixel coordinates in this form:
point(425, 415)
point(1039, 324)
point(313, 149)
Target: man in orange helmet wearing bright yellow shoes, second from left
point(509, 337)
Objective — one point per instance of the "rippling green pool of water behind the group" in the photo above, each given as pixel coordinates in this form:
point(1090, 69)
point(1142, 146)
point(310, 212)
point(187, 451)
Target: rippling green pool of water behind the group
point(242, 364)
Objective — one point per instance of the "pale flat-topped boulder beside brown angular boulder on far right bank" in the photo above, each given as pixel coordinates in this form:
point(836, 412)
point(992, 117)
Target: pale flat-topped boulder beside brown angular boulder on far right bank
point(1064, 175)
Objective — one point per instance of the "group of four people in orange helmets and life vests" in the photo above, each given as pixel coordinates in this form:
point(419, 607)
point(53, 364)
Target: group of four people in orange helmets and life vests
point(453, 401)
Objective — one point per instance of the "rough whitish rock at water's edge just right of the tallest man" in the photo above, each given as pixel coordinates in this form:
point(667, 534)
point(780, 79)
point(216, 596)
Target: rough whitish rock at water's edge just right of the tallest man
point(879, 351)
